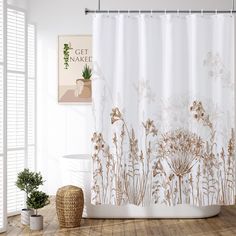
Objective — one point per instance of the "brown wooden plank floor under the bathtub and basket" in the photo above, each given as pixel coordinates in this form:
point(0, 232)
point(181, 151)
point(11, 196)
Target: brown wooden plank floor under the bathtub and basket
point(223, 224)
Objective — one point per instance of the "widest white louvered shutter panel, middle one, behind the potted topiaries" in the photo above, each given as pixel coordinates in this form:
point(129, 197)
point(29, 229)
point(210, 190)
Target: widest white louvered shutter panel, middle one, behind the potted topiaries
point(16, 106)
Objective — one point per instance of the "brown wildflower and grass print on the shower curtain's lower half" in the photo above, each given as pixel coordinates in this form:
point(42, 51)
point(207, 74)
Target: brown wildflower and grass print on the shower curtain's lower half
point(168, 168)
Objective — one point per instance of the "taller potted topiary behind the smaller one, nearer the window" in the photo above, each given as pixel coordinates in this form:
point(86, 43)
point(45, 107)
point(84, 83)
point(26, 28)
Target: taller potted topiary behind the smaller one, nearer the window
point(28, 181)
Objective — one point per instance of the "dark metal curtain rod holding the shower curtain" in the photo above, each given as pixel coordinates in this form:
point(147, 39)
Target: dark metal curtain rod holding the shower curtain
point(87, 11)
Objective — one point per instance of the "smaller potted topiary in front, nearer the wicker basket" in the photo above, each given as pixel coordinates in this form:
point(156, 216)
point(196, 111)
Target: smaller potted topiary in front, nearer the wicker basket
point(37, 200)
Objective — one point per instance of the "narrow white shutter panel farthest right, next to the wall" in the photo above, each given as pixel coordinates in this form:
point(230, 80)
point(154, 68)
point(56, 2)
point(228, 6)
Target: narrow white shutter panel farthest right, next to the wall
point(31, 97)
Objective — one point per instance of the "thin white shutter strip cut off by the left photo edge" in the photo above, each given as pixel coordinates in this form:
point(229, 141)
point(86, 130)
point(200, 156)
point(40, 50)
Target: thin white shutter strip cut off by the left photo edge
point(3, 220)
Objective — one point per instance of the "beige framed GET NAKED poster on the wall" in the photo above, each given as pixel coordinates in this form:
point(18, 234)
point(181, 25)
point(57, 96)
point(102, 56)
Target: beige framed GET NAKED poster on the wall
point(74, 68)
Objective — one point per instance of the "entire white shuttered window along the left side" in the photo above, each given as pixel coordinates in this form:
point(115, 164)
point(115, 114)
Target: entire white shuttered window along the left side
point(17, 105)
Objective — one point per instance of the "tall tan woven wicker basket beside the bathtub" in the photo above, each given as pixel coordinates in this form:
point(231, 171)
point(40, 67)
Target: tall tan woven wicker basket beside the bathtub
point(69, 206)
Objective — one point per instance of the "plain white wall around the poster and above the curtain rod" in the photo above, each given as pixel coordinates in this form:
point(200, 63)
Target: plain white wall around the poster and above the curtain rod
point(66, 129)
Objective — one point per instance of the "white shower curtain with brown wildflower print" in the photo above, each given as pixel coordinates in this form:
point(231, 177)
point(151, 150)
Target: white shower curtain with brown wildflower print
point(164, 112)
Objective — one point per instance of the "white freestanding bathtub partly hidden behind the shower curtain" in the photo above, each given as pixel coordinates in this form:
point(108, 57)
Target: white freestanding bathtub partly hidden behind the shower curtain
point(76, 170)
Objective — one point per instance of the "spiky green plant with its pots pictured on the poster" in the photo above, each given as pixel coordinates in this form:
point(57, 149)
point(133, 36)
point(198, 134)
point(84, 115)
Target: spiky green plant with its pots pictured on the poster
point(84, 84)
